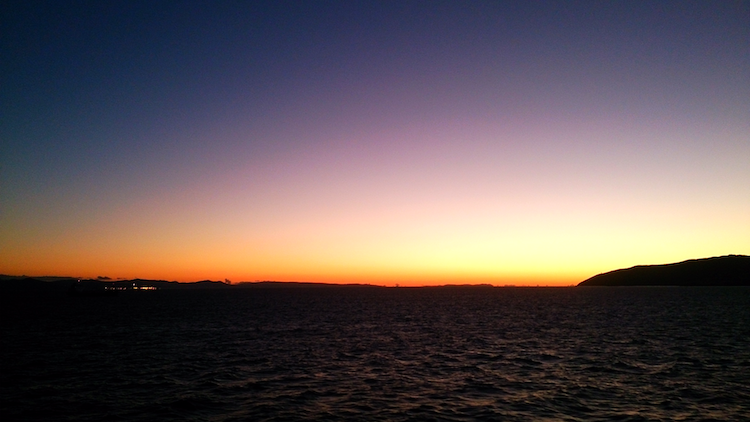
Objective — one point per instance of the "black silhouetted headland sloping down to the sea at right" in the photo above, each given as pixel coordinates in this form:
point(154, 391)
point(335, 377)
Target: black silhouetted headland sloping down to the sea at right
point(730, 270)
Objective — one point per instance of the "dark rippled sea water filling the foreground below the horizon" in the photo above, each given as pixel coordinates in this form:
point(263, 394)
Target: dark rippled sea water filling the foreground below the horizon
point(379, 354)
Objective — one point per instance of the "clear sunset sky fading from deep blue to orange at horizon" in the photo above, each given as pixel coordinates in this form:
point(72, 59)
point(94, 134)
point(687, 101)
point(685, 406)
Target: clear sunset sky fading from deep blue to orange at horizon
point(386, 142)
